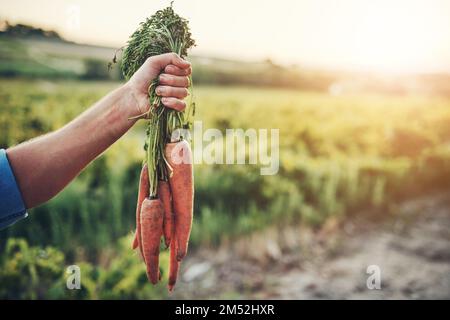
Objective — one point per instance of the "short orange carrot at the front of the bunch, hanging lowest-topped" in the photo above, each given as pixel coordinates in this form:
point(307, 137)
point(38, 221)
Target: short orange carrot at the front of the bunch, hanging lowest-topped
point(152, 213)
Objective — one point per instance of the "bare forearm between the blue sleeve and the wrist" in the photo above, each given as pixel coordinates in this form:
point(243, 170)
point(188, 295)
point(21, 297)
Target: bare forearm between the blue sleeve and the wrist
point(45, 165)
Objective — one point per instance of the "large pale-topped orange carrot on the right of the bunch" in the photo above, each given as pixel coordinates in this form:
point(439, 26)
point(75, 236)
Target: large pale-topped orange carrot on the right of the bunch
point(179, 157)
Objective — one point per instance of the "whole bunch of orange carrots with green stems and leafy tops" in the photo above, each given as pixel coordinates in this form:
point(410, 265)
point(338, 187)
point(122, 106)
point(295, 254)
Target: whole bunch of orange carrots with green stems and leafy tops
point(166, 187)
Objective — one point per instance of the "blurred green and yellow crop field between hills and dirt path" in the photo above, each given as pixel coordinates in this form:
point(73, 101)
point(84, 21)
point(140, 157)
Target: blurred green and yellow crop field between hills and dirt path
point(339, 155)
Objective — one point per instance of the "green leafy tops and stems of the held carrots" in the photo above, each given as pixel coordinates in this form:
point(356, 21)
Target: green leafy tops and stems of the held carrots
point(163, 32)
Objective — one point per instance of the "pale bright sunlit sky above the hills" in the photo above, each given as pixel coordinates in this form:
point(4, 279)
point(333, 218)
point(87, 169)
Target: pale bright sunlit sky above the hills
point(382, 35)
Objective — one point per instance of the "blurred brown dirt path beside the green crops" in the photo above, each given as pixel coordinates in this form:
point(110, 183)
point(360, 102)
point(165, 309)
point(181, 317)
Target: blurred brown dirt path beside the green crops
point(411, 248)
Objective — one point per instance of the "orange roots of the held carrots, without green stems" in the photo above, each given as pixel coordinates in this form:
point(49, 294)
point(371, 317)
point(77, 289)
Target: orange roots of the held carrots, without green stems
point(168, 215)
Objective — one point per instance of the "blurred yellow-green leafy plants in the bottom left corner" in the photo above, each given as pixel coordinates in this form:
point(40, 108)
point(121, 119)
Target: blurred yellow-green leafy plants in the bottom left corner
point(40, 273)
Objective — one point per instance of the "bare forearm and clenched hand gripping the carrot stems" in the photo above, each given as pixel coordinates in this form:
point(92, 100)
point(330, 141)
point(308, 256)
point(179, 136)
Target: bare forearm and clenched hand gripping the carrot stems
point(41, 175)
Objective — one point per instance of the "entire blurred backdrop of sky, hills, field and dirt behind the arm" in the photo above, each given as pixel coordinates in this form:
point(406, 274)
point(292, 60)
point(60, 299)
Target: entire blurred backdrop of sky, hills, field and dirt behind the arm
point(360, 91)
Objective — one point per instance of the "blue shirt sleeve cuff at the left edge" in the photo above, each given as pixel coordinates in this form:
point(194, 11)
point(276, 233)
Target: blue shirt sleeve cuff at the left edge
point(12, 207)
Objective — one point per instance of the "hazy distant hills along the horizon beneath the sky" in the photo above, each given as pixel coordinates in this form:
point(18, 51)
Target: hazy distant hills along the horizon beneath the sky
point(27, 51)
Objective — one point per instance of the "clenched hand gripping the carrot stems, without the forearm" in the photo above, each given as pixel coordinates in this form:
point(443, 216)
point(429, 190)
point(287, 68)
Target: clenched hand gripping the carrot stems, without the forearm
point(173, 82)
